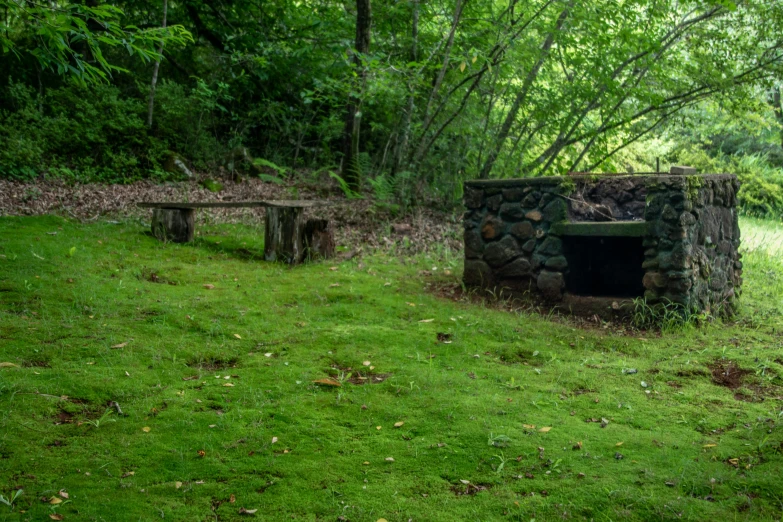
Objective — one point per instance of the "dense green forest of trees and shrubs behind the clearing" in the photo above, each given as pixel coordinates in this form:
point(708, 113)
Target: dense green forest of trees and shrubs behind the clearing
point(404, 99)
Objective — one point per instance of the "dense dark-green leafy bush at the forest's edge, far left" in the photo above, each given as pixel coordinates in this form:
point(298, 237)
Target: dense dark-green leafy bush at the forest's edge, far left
point(80, 133)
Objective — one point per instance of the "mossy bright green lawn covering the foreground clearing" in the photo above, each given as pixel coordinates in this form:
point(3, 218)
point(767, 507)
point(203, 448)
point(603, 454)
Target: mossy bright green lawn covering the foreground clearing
point(518, 417)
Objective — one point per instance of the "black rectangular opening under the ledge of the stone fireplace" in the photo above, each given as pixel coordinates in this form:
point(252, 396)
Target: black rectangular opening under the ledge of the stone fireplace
point(604, 266)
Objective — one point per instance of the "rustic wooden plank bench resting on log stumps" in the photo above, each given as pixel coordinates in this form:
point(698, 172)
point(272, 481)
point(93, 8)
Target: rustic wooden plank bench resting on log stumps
point(287, 237)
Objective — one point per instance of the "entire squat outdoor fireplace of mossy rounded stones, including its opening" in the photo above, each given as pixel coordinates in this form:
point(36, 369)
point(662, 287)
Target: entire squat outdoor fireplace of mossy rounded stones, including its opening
point(594, 243)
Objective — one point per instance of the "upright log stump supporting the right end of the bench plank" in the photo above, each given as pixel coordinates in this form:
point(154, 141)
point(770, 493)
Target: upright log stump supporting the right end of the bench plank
point(283, 237)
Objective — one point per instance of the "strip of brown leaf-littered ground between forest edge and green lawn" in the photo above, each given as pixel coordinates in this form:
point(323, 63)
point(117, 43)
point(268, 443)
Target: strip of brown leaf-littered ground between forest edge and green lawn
point(356, 222)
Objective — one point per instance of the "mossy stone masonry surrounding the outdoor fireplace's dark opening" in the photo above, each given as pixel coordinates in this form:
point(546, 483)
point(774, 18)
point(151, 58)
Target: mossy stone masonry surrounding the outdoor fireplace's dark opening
point(691, 241)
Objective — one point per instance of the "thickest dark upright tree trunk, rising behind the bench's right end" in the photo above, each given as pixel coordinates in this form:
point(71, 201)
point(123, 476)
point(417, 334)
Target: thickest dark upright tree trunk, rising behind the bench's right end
point(351, 169)
